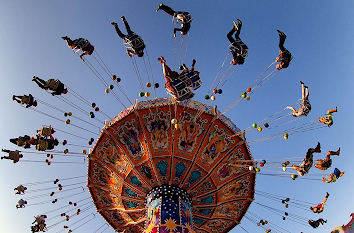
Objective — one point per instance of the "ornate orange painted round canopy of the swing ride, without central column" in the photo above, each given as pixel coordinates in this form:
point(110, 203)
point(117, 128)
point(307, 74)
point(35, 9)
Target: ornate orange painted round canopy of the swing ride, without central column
point(162, 142)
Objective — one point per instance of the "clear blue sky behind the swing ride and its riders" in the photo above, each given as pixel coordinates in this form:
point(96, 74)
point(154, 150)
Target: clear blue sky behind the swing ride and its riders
point(320, 35)
